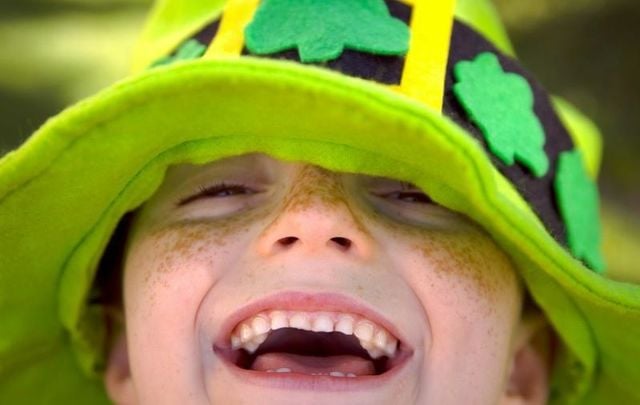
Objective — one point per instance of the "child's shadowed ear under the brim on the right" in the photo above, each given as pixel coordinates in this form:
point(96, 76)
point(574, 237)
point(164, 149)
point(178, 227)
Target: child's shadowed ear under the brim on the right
point(528, 380)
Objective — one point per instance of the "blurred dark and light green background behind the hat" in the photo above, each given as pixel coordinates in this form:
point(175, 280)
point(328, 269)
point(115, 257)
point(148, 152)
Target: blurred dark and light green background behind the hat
point(55, 52)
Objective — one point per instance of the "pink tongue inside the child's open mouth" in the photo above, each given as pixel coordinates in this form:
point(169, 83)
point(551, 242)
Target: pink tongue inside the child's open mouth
point(312, 364)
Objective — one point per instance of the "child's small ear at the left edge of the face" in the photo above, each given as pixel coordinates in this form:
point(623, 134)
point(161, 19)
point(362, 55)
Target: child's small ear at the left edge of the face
point(117, 377)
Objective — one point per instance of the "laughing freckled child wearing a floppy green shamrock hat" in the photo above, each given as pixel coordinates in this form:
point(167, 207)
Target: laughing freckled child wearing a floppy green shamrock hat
point(312, 201)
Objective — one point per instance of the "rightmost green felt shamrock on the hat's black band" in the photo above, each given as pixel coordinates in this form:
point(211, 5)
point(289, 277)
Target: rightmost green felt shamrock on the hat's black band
point(577, 198)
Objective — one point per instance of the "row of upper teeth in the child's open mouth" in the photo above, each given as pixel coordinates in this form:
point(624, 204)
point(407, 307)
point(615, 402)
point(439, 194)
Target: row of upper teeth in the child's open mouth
point(252, 332)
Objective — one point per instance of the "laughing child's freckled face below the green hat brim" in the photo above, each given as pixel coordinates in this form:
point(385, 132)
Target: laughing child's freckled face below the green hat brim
point(217, 240)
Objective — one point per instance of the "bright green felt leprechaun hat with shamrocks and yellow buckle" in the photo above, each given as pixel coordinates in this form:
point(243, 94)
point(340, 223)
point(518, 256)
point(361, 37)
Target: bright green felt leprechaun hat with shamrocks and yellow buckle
point(424, 91)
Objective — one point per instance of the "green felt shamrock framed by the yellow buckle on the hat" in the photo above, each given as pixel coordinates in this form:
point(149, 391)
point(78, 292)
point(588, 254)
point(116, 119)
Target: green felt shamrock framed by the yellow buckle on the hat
point(321, 29)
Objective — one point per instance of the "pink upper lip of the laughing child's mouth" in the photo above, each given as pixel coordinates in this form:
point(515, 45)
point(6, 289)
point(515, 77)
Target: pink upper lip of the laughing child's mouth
point(301, 301)
